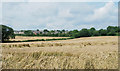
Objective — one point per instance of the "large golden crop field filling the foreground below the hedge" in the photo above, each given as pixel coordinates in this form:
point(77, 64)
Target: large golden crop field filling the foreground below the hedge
point(80, 53)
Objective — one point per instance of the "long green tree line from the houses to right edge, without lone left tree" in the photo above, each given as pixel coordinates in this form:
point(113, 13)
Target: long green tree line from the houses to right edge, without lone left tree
point(109, 31)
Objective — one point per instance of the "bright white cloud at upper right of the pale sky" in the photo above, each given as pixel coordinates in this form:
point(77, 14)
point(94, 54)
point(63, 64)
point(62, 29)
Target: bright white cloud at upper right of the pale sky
point(106, 12)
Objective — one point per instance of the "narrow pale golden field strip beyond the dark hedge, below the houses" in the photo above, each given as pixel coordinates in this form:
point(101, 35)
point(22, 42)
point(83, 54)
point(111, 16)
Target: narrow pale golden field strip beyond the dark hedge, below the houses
point(22, 38)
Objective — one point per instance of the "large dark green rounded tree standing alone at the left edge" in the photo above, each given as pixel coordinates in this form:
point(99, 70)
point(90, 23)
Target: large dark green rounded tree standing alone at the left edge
point(7, 33)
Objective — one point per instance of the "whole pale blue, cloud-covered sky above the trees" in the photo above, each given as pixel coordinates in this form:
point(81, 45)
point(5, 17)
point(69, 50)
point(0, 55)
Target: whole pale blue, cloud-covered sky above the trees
point(59, 15)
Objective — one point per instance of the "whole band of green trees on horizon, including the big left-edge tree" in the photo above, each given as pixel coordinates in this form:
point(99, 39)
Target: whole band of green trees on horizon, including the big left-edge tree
point(7, 32)
